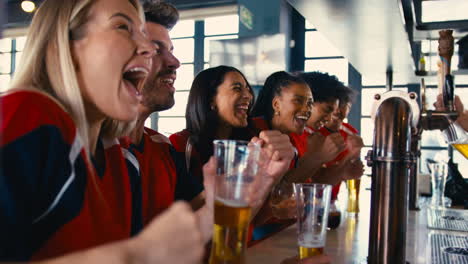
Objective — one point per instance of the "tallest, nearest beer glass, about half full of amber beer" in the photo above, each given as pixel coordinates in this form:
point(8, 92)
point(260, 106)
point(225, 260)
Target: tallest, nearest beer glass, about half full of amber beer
point(236, 168)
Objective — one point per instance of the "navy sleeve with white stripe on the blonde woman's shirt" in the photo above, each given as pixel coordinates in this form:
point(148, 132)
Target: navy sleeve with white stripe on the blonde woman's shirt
point(35, 169)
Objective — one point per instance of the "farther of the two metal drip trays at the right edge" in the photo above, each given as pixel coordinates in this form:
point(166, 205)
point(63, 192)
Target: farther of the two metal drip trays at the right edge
point(456, 220)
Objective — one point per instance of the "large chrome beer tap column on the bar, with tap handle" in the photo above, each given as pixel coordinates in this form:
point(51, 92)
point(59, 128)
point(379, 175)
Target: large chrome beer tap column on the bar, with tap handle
point(399, 123)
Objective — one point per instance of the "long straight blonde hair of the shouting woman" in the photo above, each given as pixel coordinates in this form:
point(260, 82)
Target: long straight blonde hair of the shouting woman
point(47, 63)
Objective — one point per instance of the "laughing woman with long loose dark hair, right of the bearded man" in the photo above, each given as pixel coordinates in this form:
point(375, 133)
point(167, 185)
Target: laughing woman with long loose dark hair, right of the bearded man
point(218, 108)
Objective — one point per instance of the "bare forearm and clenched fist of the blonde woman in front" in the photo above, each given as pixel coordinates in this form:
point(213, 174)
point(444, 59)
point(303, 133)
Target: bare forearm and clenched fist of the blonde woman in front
point(162, 241)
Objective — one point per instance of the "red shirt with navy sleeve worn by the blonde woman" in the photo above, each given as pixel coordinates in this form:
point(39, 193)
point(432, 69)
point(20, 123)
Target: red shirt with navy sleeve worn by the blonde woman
point(53, 200)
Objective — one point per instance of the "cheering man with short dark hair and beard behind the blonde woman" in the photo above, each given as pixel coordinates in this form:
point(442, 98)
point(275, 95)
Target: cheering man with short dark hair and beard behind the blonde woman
point(163, 172)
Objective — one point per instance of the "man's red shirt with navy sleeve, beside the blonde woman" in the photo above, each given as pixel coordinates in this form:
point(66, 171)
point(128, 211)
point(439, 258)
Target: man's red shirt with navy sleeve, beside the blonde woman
point(163, 172)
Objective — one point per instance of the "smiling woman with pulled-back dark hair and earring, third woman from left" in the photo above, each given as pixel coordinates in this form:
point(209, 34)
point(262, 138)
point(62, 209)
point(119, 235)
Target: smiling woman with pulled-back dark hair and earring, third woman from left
point(286, 104)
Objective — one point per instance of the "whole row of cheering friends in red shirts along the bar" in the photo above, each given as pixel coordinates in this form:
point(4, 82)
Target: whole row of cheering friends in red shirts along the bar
point(83, 180)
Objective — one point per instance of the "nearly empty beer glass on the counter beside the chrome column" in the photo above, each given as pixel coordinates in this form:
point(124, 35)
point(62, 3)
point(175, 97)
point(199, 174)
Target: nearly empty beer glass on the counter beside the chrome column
point(313, 202)
